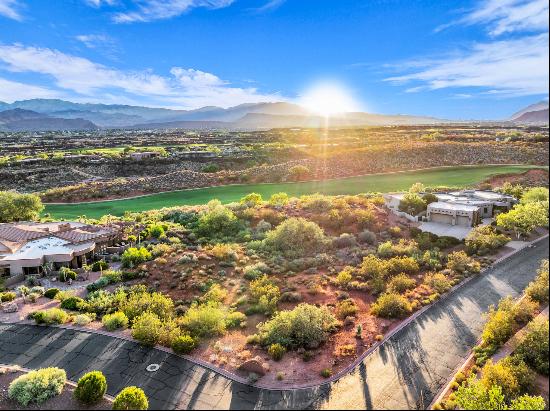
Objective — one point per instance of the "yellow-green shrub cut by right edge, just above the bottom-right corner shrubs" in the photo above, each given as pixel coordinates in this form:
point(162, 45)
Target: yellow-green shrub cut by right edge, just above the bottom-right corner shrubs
point(534, 347)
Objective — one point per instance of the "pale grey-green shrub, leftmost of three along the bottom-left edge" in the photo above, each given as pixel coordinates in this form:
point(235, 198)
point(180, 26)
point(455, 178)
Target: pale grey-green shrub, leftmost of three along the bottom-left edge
point(37, 386)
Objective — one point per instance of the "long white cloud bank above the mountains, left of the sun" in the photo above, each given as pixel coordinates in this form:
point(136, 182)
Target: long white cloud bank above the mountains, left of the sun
point(185, 88)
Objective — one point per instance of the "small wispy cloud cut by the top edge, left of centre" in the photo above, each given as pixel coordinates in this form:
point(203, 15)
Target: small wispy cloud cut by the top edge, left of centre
point(151, 10)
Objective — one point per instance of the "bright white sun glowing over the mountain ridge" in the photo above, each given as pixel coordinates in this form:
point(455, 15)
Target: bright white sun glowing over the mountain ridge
point(328, 99)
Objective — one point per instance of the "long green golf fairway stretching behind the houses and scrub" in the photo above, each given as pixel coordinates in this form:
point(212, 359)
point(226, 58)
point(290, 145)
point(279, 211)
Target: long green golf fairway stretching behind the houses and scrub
point(454, 176)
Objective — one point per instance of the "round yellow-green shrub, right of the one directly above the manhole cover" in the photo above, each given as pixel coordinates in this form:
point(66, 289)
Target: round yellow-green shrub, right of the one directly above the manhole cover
point(204, 320)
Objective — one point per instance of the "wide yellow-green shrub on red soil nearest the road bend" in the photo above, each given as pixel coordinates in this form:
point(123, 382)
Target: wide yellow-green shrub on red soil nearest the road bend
point(305, 326)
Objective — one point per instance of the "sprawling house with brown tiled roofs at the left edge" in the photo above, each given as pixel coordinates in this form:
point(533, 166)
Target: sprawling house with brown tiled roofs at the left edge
point(26, 247)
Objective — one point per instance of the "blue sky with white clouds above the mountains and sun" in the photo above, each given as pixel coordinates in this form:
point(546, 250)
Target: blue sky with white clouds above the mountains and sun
point(451, 59)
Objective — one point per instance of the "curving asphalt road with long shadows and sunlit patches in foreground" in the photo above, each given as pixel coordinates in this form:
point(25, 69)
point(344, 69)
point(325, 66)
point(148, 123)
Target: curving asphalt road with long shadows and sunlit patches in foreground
point(404, 373)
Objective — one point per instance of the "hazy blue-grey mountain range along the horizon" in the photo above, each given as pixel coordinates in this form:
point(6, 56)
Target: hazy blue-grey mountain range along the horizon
point(52, 114)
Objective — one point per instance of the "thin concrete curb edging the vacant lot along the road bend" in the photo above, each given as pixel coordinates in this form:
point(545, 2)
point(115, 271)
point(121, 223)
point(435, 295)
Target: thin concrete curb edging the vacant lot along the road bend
point(350, 368)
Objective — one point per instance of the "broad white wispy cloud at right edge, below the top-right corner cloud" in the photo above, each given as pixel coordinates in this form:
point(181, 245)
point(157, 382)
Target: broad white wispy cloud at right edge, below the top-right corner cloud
point(508, 67)
